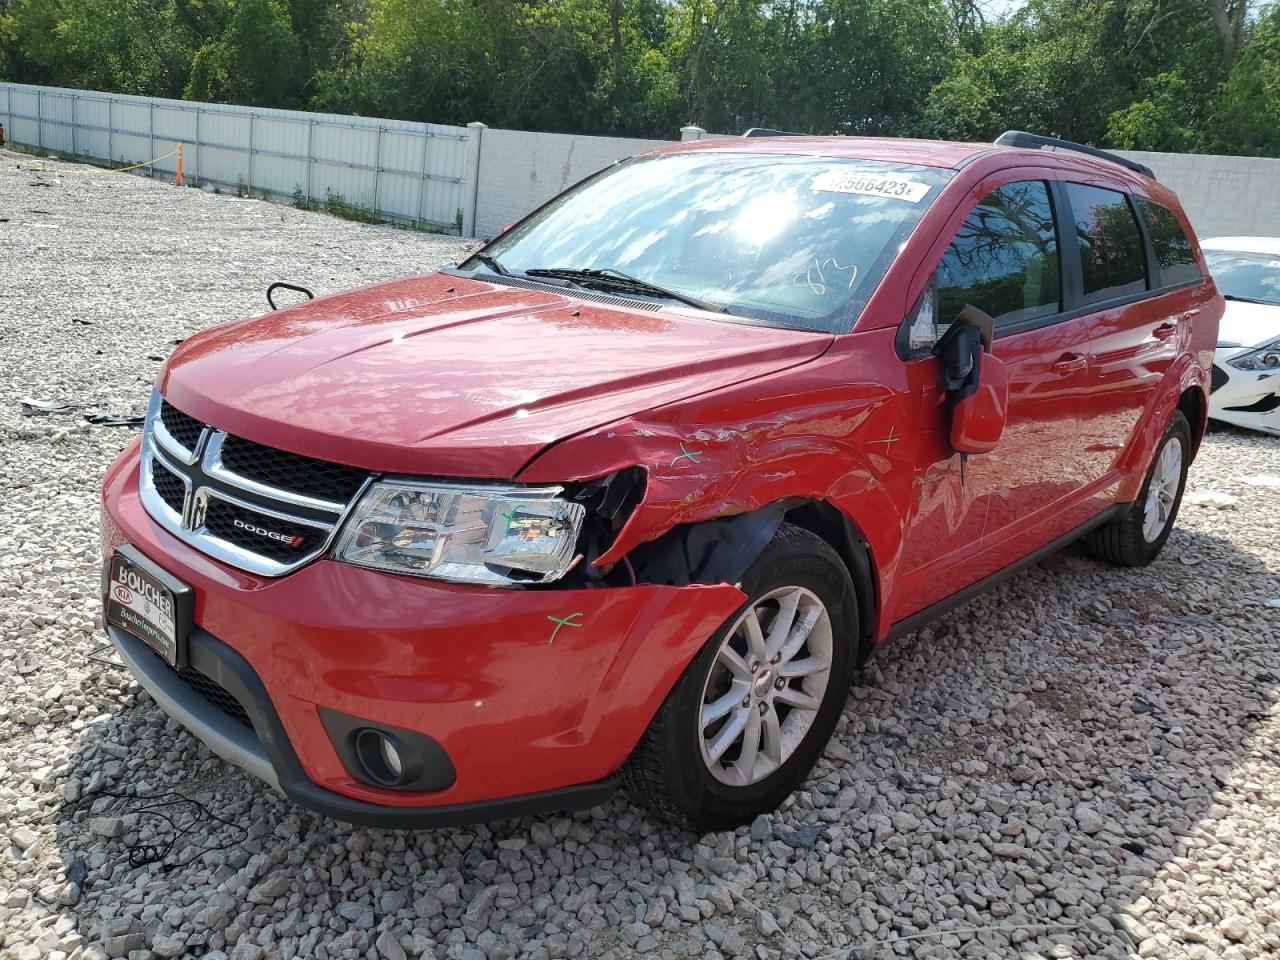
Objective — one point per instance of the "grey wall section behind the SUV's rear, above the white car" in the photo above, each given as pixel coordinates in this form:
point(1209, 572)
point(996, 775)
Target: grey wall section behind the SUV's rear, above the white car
point(1224, 196)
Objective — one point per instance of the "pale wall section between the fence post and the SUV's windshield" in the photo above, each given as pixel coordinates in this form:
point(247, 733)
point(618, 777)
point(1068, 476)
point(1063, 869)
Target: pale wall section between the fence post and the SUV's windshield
point(519, 171)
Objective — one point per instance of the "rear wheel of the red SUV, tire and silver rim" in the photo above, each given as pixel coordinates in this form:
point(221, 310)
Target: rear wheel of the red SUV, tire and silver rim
point(1137, 537)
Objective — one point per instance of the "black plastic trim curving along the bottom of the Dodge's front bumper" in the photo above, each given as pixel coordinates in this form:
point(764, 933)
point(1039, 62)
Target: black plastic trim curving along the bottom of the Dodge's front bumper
point(220, 662)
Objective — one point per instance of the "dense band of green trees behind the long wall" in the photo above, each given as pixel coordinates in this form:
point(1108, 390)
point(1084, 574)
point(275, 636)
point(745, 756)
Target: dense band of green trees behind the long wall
point(1168, 75)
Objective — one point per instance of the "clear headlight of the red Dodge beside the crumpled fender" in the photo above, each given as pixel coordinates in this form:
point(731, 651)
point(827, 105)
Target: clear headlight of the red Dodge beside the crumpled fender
point(465, 533)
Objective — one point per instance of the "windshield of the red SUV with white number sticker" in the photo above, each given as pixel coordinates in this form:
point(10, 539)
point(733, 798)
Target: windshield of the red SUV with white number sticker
point(789, 241)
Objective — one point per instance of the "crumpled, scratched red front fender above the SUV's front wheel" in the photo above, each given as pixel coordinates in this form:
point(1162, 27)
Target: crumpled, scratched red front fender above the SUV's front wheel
point(839, 431)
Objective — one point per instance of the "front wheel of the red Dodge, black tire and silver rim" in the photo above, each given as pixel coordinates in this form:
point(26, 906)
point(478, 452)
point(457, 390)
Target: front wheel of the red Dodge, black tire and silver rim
point(752, 714)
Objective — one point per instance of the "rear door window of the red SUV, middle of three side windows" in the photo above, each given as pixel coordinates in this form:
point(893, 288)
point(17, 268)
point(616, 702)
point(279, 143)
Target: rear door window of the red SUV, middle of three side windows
point(1112, 257)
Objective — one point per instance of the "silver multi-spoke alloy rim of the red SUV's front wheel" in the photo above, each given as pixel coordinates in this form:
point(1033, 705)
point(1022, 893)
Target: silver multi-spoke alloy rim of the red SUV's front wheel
point(766, 685)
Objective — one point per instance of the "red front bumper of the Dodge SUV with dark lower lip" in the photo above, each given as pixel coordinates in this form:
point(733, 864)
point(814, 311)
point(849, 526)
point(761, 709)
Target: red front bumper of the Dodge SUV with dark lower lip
point(529, 723)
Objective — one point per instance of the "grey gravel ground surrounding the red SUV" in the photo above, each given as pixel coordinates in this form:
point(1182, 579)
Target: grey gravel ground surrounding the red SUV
point(1084, 764)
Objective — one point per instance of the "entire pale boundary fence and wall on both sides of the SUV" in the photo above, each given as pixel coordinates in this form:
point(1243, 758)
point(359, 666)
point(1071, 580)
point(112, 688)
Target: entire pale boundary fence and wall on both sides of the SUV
point(469, 180)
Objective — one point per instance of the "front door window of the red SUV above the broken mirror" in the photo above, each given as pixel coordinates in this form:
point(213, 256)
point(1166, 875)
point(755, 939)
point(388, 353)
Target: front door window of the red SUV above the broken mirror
point(1004, 258)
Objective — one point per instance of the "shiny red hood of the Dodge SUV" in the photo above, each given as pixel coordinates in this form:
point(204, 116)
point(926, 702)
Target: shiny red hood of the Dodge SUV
point(450, 377)
